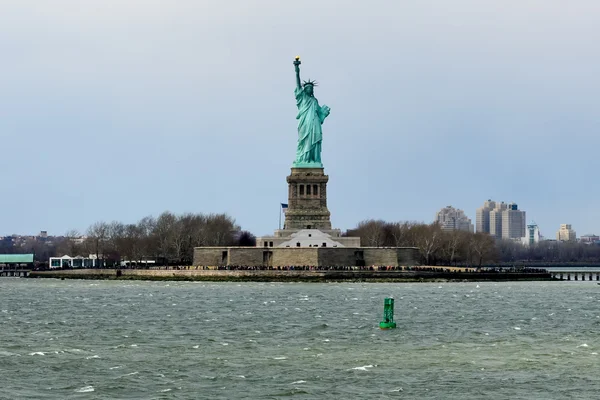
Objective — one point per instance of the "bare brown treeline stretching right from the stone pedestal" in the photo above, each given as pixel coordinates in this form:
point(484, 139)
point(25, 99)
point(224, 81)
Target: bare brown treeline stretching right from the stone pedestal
point(439, 247)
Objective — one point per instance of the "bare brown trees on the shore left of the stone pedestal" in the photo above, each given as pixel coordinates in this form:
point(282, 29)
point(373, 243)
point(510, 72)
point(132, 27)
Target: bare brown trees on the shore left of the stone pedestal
point(168, 239)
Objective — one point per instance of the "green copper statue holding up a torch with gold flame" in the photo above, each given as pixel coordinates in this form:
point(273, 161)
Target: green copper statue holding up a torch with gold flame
point(310, 118)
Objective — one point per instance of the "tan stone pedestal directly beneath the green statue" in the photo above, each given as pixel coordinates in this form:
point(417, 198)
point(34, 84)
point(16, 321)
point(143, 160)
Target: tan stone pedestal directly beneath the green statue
point(307, 200)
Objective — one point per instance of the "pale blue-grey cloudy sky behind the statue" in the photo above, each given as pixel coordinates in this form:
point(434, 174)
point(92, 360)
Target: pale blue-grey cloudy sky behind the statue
point(119, 109)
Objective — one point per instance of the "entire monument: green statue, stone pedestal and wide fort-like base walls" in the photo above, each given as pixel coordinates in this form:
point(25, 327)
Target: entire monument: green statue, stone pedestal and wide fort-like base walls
point(307, 237)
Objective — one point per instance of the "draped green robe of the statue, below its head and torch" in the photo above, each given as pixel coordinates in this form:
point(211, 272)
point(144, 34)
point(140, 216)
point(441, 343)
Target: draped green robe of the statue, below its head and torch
point(310, 135)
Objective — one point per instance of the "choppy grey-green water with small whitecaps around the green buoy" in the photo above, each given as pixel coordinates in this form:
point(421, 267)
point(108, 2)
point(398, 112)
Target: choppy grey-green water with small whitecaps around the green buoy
point(172, 340)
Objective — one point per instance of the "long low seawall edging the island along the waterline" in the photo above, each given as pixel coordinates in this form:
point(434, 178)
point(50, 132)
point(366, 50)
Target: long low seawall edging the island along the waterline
point(289, 275)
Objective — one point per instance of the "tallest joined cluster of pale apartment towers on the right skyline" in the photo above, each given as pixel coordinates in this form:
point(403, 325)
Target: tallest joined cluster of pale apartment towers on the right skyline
point(501, 220)
